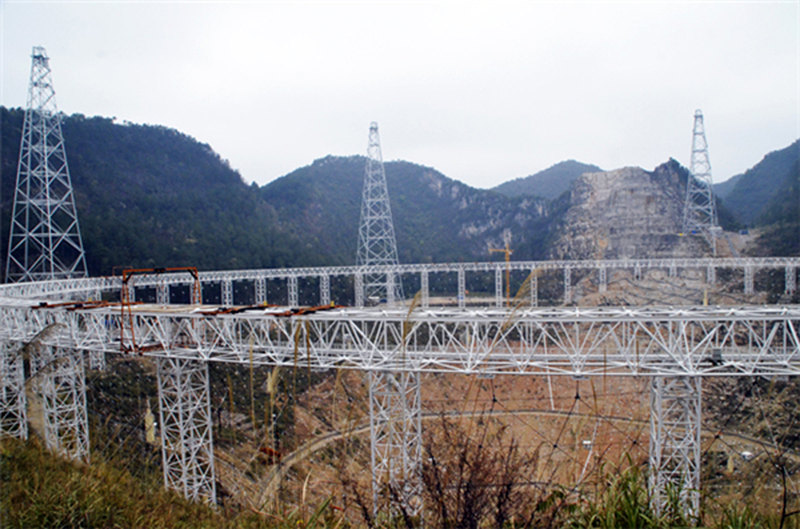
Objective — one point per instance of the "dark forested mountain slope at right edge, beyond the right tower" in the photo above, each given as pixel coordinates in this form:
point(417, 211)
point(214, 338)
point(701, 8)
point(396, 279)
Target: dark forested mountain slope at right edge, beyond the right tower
point(753, 190)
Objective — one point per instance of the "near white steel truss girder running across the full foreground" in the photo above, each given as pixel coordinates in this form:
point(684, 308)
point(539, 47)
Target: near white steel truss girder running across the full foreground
point(691, 341)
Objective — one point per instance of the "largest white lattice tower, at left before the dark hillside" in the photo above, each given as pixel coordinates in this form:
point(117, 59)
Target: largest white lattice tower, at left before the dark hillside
point(44, 240)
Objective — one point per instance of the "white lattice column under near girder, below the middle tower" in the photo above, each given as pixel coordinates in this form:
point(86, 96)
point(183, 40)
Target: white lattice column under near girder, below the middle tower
point(396, 440)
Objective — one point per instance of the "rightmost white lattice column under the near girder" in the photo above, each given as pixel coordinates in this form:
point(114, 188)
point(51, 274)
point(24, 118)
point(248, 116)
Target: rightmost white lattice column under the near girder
point(675, 408)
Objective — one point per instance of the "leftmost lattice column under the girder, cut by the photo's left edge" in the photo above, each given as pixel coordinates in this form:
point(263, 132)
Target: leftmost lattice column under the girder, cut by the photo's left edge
point(13, 416)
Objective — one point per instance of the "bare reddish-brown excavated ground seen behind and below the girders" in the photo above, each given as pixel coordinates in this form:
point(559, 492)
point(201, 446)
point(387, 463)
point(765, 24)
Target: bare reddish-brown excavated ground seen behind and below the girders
point(574, 429)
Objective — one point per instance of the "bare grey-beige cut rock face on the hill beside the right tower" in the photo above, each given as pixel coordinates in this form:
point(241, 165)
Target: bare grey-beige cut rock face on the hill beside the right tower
point(625, 213)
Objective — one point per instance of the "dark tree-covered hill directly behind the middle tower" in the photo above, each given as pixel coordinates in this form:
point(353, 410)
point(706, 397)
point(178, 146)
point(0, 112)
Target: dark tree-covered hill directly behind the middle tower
point(436, 218)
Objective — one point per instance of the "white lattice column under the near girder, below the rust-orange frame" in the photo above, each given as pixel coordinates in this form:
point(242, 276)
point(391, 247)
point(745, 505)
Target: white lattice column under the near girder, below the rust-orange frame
point(187, 445)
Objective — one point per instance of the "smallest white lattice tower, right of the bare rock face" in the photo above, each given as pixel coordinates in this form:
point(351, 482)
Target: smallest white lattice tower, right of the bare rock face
point(700, 214)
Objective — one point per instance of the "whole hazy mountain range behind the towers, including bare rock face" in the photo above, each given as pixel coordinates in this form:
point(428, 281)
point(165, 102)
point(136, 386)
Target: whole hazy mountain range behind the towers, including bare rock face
point(151, 196)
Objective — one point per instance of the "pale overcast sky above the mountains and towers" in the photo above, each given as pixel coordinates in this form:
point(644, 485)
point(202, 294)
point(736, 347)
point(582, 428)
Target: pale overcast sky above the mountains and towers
point(482, 91)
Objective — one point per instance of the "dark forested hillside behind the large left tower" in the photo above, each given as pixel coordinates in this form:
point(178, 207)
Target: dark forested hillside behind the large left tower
point(151, 196)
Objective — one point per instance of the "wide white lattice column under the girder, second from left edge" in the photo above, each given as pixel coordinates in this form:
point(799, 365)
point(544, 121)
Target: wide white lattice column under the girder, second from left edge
point(60, 379)
